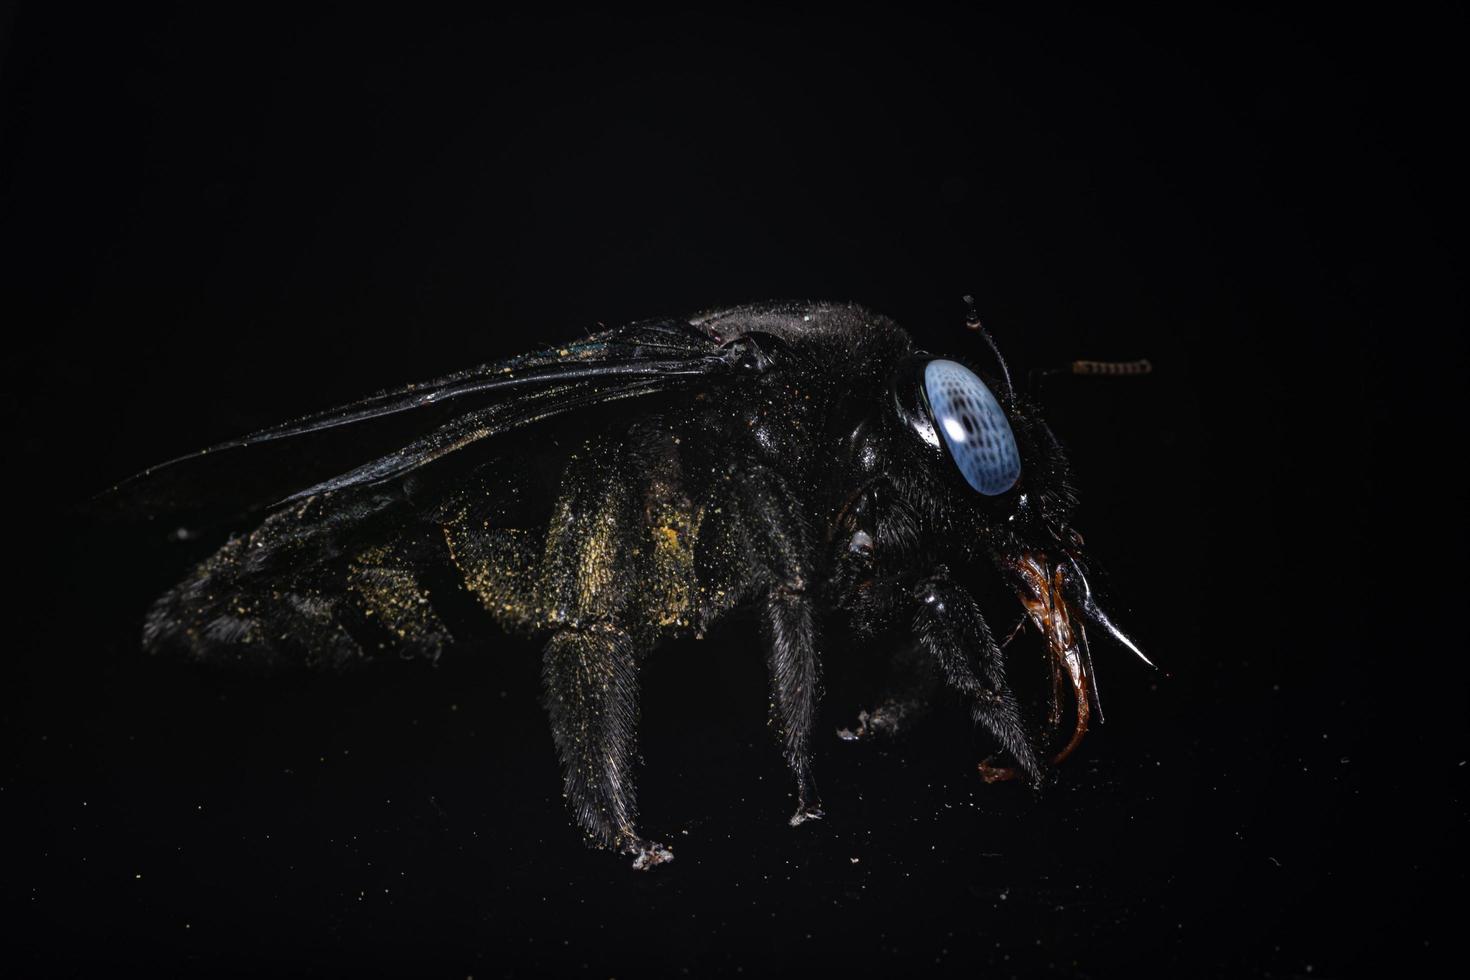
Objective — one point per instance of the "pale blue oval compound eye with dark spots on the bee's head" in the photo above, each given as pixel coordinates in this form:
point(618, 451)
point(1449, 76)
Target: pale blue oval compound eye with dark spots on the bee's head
point(974, 427)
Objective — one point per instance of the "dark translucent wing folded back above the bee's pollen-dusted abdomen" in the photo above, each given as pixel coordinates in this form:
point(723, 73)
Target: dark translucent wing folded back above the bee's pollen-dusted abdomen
point(395, 433)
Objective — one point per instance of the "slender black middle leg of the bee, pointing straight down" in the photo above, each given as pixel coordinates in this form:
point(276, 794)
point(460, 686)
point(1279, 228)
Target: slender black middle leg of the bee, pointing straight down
point(778, 543)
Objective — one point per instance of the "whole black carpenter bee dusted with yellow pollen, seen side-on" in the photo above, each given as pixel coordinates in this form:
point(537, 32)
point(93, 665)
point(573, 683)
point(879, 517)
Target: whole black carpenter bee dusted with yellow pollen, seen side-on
point(802, 461)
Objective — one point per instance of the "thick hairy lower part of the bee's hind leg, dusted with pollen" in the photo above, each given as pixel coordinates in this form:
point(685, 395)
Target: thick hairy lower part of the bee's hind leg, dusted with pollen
point(592, 694)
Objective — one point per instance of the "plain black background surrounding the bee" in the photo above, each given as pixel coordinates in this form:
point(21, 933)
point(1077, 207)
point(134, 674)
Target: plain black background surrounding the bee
point(218, 221)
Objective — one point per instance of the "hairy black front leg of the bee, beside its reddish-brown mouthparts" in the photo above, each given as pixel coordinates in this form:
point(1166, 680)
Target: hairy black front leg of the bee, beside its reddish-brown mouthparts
point(950, 627)
